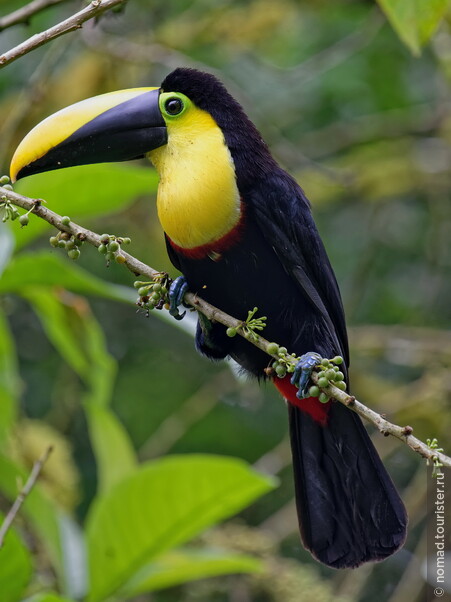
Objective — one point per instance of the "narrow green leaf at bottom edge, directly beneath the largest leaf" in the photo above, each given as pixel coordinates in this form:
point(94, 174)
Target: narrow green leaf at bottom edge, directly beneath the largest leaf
point(182, 565)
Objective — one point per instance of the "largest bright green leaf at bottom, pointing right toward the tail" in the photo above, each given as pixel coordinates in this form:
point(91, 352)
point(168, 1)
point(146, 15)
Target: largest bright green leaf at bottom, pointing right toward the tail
point(162, 505)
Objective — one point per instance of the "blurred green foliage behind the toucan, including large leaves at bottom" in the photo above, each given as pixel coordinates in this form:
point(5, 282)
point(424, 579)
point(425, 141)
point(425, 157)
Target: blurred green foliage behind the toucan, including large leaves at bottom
point(365, 127)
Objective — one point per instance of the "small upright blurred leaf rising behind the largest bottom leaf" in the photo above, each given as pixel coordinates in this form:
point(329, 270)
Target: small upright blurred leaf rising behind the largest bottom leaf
point(115, 456)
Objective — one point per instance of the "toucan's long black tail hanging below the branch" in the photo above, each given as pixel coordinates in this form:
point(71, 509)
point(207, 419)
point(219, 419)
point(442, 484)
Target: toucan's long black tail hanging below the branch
point(348, 508)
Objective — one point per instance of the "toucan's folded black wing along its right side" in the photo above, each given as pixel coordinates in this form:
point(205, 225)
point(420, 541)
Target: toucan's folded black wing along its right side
point(282, 211)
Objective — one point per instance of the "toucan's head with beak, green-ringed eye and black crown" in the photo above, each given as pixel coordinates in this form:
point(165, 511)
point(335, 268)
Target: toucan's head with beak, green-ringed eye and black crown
point(130, 124)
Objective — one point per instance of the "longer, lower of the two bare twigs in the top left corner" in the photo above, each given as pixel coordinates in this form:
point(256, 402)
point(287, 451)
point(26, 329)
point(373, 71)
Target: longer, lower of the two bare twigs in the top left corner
point(94, 9)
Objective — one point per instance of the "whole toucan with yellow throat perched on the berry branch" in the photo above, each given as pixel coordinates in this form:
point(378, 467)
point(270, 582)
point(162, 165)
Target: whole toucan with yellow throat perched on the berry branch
point(240, 230)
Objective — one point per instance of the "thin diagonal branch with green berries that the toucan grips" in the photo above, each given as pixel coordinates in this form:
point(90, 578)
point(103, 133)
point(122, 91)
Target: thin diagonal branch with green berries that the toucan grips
point(403, 433)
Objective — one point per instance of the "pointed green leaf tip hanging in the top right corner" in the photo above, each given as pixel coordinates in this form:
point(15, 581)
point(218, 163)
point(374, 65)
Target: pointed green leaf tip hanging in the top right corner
point(415, 21)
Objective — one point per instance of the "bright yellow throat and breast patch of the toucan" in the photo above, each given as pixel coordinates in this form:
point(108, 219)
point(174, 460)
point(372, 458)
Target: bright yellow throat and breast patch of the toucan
point(198, 200)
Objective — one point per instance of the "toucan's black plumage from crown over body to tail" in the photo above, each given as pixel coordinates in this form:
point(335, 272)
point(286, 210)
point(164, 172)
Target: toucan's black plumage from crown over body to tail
point(349, 510)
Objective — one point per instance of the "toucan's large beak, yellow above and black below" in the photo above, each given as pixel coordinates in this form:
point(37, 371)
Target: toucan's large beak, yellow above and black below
point(118, 126)
